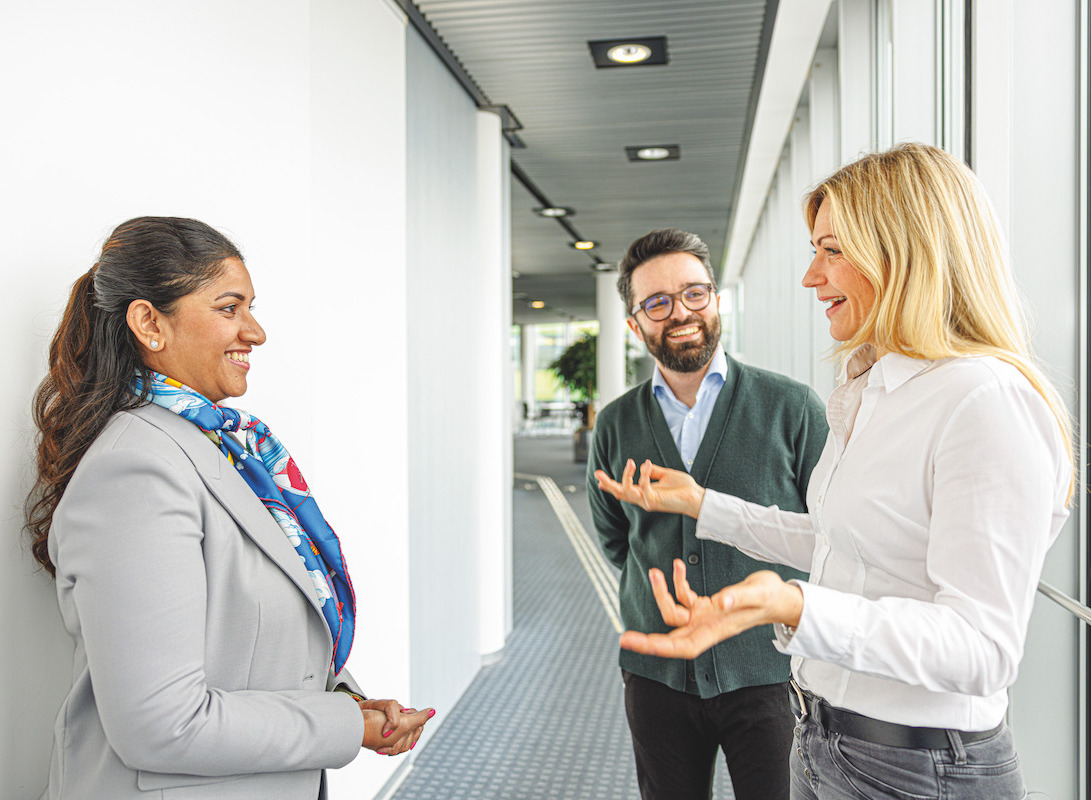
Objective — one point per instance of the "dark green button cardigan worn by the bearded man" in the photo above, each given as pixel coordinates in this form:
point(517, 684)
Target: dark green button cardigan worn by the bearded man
point(763, 440)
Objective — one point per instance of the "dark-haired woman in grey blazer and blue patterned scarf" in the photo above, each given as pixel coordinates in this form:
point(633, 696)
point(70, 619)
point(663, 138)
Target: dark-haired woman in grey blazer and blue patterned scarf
point(211, 617)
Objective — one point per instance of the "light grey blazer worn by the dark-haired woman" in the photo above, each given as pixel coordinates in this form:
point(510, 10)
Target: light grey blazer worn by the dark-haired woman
point(202, 660)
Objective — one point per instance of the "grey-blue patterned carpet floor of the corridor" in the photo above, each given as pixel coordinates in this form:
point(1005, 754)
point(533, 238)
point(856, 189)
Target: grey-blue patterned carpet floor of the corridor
point(547, 721)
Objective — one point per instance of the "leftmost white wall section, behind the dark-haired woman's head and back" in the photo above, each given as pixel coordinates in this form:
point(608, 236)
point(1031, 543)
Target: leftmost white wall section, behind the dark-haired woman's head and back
point(107, 122)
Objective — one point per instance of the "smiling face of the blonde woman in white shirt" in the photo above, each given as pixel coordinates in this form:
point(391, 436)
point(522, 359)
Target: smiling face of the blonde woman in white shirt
point(843, 288)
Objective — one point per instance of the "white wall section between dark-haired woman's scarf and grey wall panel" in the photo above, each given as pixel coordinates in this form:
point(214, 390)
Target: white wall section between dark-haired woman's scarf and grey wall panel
point(357, 414)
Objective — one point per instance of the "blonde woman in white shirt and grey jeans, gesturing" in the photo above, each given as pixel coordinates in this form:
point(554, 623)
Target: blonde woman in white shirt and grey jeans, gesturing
point(945, 480)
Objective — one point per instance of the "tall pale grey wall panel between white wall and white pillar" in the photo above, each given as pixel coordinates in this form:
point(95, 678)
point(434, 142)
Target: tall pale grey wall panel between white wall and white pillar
point(442, 255)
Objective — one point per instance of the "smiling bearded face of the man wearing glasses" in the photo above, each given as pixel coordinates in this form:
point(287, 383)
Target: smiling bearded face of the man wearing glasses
point(687, 341)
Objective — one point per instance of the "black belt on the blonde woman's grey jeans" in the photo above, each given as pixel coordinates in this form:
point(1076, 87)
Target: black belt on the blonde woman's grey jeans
point(878, 732)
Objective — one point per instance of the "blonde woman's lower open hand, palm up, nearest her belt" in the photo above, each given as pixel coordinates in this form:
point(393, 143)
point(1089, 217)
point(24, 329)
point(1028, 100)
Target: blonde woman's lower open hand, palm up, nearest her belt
point(700, 622)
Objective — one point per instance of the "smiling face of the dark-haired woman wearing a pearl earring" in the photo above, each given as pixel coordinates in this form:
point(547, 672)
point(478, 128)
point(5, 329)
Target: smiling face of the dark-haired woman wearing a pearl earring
point(206, 343)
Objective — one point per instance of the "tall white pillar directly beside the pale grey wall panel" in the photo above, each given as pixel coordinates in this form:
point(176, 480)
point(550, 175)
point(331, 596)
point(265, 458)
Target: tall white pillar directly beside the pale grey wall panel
point(494, 482)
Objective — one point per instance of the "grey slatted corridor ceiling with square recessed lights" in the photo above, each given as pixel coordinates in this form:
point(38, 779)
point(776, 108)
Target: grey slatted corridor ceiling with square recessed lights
point(533, 57)
